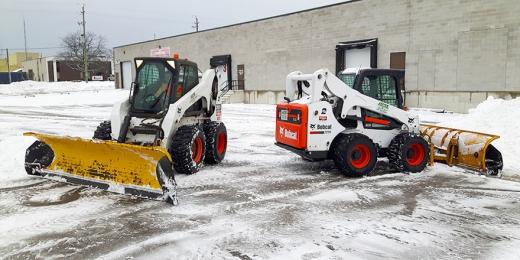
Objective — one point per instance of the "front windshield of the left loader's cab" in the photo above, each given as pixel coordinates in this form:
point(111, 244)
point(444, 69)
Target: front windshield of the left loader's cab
point(153, 81)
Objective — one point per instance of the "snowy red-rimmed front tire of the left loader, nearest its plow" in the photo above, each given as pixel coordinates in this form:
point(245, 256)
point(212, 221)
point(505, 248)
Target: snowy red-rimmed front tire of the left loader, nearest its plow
point(188, 149)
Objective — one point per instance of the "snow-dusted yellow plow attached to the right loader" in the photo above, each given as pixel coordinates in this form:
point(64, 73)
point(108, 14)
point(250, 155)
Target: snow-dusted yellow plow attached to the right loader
point(468, 149)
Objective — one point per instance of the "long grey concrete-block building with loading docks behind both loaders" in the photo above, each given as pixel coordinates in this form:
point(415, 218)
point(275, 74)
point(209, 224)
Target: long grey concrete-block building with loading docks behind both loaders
point(456, 53)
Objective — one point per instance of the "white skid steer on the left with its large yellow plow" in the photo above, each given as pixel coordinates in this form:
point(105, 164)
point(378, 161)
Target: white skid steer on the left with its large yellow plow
point(171, 121)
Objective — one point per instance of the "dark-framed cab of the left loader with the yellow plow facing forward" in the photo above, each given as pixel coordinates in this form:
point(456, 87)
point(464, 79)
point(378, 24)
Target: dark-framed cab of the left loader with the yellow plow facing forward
point(160, 82)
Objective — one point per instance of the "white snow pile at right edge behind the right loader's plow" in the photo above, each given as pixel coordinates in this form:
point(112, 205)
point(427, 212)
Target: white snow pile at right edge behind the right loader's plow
point(500, 117)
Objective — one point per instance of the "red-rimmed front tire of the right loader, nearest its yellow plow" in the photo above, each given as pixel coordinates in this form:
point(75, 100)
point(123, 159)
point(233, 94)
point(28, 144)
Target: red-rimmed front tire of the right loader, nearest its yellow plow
point(408, 152)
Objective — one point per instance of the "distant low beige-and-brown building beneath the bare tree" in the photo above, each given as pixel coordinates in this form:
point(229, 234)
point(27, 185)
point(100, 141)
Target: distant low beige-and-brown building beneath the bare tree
point(53, 69)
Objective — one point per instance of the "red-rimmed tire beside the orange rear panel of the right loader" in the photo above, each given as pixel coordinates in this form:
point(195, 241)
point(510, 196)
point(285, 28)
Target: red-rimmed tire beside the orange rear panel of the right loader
point(355, 155)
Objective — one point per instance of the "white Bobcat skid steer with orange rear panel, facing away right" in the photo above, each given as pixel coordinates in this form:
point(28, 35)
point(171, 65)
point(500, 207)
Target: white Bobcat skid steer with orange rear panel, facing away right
point(353, 120)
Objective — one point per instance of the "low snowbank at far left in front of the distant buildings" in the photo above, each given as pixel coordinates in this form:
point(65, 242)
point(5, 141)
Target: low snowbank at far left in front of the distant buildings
point(37, 87)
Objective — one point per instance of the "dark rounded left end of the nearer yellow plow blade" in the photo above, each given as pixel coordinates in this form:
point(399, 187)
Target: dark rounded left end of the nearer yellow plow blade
point(39, 155)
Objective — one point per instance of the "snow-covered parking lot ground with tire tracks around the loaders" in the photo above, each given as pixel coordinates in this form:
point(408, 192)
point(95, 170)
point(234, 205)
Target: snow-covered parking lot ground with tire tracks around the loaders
point(261, 203)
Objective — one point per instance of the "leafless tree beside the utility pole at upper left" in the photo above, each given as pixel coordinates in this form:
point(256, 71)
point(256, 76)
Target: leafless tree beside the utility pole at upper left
point(73, 51)
